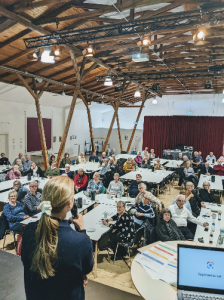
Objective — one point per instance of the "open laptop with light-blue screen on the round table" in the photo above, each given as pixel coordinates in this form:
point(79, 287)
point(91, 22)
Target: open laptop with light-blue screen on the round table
point(200, 273)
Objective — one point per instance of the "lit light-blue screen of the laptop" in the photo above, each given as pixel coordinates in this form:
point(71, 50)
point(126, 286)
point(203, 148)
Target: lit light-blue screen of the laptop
point(201, 268)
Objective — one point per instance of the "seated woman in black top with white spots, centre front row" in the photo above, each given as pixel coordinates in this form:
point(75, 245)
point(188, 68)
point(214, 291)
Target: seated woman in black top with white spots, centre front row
point(124, 229)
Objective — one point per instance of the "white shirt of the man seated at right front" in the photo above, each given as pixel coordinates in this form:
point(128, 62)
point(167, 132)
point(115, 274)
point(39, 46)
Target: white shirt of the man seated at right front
point(180, 216)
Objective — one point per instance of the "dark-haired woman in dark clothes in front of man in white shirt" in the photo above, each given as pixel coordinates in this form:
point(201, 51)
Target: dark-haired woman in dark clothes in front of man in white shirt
point(167, 229)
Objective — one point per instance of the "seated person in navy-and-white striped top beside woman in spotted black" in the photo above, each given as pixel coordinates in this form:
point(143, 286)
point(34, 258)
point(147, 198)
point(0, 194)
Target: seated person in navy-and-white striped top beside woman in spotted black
point(142, 211)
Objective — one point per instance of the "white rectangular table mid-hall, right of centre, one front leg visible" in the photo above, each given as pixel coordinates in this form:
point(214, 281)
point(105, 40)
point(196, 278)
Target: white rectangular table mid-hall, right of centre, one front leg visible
point(155, 177)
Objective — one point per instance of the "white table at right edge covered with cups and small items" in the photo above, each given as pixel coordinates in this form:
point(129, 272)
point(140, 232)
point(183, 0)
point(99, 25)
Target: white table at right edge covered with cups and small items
point(200, 232)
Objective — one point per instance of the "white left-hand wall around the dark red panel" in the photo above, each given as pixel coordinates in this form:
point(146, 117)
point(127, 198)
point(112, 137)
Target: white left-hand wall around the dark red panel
point(13, 122)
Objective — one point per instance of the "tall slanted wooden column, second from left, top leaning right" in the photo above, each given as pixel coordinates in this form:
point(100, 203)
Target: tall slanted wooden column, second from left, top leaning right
point(72, 107)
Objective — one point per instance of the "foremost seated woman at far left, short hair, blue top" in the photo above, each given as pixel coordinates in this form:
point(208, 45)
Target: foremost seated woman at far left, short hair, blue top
point(13, 212)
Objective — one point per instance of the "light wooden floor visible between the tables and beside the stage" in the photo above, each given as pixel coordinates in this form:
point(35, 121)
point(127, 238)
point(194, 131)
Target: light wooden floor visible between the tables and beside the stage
point(118, 275)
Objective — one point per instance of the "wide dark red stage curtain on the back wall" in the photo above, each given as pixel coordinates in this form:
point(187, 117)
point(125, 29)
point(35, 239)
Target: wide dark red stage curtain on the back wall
point(203, 133)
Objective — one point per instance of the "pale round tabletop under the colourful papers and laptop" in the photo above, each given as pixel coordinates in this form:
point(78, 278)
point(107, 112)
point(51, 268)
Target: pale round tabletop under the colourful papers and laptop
point(151, 289)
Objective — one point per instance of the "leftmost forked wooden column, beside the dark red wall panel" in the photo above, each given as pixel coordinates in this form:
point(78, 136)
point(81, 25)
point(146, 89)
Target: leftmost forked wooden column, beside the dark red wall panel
point(39, 117)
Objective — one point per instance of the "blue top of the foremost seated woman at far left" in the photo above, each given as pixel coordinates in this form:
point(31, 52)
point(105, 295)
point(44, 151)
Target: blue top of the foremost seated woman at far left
point(14, 214)
